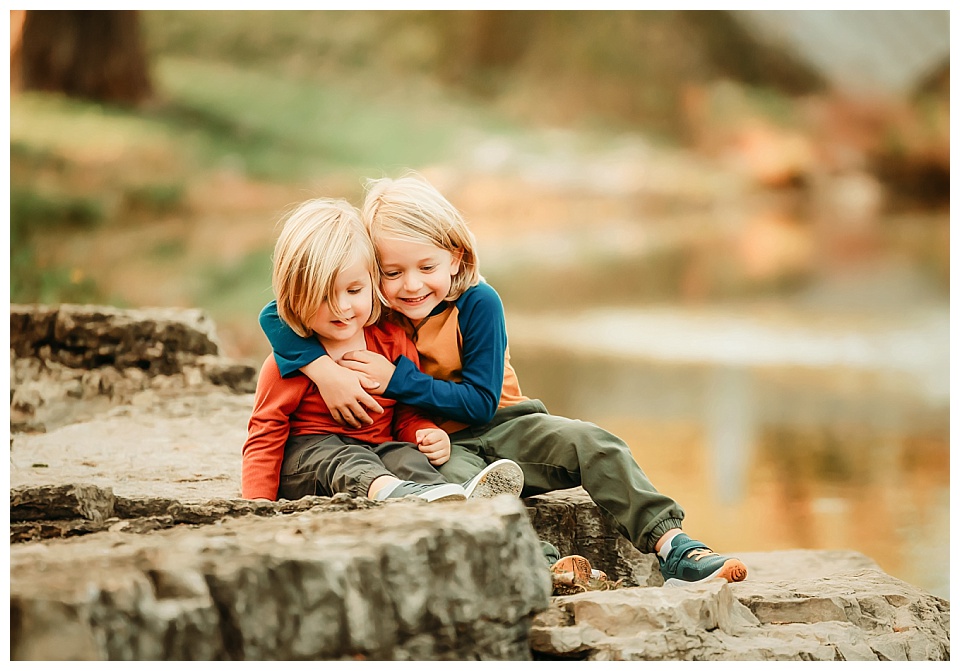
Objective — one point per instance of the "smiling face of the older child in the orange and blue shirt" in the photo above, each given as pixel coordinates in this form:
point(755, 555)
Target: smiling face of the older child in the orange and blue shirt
point(416, 275)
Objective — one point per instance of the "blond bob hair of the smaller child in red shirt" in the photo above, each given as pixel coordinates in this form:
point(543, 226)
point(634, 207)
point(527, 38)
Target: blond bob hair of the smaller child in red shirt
point(320, 237)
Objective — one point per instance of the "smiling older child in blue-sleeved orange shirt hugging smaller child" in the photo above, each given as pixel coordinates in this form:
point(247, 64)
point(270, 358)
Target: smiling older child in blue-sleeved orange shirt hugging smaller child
point(431, 282)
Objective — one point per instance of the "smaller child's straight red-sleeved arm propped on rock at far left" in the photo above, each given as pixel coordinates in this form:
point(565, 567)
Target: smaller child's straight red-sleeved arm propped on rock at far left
point(267, 433)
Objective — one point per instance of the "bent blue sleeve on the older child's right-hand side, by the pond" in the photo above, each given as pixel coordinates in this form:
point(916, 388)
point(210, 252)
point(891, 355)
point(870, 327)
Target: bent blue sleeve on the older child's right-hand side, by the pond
point(474, 400)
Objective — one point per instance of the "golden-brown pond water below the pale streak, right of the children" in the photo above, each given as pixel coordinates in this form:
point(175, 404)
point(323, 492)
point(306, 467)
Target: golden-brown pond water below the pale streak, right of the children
point(774, 458)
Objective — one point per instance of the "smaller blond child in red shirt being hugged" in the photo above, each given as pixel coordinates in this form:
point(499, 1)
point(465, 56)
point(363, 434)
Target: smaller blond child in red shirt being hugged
point(325, 280)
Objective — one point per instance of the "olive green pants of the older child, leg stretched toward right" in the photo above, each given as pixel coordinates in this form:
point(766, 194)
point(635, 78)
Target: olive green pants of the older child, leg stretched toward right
point(559, 453)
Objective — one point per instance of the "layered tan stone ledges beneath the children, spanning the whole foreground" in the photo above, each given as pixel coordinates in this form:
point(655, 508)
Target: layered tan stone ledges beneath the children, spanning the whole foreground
point(129, 541)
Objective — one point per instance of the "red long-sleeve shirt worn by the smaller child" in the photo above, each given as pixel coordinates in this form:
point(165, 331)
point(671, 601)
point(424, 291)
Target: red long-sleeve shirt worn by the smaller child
point(293, 406)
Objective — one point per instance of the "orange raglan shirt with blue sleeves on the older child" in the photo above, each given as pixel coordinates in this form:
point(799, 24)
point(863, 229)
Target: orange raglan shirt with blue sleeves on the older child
point(464, 373)
